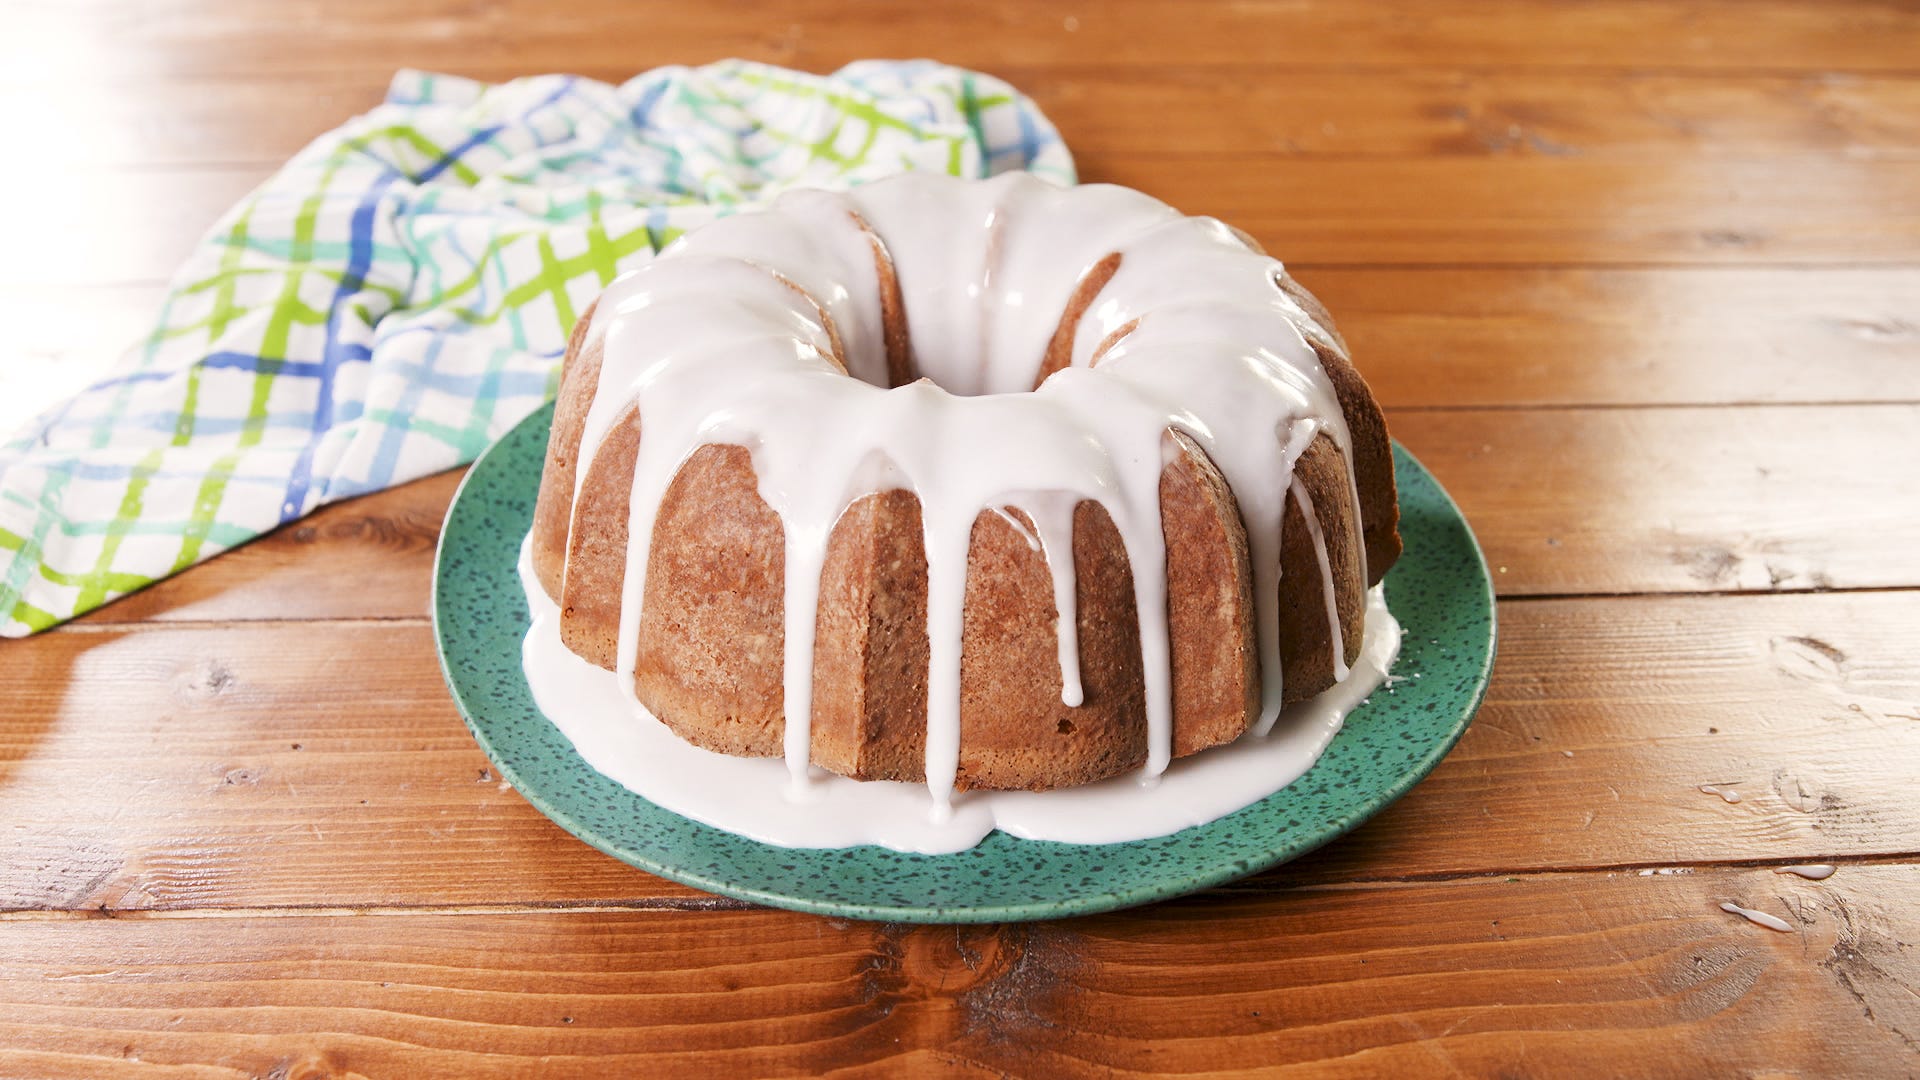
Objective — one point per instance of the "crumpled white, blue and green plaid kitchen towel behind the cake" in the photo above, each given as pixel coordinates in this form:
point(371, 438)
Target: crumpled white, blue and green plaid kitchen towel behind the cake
point(400, 293)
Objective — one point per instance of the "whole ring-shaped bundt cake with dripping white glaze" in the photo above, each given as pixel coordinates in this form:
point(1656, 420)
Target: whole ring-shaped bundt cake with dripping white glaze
point(967, 483)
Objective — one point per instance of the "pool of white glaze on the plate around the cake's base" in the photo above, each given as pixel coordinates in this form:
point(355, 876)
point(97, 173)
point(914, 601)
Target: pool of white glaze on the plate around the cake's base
point(750, 797)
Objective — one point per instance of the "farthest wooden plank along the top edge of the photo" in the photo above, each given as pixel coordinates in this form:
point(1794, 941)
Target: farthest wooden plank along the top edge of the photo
point(231, 37)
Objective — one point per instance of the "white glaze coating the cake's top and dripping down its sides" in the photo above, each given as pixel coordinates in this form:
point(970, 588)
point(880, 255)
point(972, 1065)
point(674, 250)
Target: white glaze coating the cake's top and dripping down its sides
point(786, 305)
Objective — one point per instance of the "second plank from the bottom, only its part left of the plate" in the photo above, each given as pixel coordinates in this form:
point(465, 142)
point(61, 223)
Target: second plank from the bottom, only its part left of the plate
point(214, 764)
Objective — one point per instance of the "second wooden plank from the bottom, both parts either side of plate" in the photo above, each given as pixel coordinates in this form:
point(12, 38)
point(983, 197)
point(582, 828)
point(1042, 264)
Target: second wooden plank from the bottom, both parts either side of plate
point(324, 764)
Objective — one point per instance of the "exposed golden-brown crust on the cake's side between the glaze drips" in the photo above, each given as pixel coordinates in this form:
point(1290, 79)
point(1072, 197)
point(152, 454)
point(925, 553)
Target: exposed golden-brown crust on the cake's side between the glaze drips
point(713, 635)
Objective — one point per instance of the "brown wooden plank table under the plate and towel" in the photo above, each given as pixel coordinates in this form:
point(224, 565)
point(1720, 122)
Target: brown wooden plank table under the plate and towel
point(1639, 282)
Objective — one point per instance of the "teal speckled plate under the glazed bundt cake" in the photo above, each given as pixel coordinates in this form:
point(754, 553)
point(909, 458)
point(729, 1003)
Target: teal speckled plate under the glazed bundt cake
point(1439, 591)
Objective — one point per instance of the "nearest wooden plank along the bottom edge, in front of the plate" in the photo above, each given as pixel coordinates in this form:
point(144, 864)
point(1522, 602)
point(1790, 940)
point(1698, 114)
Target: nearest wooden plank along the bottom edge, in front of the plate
point(1543, 975)
